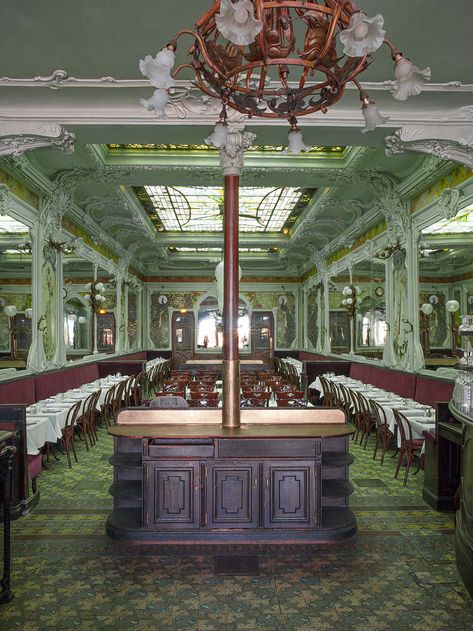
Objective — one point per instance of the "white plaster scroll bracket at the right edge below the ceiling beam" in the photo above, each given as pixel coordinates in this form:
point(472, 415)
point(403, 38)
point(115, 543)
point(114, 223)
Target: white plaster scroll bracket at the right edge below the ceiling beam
point(446, 142)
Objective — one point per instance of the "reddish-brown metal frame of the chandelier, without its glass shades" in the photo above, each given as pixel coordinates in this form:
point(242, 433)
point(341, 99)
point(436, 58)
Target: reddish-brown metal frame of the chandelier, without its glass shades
point(239, 74)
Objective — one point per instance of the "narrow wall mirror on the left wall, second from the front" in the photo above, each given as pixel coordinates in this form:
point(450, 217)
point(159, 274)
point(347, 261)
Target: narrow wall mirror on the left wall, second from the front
point(77, 272)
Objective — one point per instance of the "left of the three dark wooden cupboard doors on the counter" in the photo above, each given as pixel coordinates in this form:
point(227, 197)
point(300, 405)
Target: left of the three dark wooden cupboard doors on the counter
point(172, 495)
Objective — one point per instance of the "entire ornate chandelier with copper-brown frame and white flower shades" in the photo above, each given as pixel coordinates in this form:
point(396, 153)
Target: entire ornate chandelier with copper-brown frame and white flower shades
point(280, 59)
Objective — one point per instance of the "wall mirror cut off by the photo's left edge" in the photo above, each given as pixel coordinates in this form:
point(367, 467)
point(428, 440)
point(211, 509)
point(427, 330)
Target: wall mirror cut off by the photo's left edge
point(15, 293)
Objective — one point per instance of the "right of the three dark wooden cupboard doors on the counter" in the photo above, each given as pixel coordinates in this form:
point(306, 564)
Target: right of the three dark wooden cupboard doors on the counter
point(289, 495)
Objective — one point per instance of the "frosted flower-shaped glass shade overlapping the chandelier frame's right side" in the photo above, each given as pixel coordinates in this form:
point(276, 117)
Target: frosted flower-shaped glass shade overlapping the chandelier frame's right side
point(363, 36)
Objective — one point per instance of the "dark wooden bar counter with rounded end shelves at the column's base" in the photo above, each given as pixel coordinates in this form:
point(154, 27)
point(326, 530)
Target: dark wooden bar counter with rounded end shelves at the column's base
point(181, 478)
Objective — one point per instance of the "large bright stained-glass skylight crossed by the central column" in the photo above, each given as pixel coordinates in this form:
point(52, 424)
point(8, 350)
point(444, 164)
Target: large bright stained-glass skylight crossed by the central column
point(200, 209)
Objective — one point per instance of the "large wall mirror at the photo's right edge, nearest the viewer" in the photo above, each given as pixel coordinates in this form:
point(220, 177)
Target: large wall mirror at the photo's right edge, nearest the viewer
point(445, 286)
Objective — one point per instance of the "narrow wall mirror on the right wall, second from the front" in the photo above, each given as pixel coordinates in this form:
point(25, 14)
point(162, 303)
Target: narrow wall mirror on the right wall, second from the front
point(369, 309)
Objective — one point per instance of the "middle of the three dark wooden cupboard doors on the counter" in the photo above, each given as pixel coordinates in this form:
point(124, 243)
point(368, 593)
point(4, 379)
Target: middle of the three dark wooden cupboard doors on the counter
point(232, 495)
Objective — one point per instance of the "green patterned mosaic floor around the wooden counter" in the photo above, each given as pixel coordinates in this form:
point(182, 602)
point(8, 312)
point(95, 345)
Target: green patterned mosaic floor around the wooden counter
point(399, 574)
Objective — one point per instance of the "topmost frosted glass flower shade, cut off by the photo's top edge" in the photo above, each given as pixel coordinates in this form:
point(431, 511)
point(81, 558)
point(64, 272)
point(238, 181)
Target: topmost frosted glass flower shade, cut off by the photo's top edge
point(236, 22)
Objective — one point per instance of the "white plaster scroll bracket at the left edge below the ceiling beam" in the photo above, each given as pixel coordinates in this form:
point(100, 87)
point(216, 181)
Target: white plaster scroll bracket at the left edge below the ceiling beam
point(18, 137)
